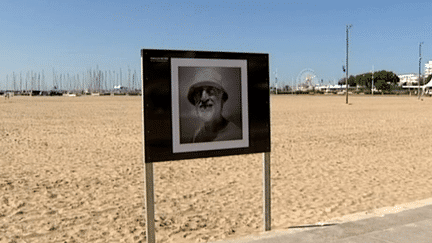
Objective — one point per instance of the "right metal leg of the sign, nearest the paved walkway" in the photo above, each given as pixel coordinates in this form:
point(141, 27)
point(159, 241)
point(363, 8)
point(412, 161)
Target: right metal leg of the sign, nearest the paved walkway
point(267, 192)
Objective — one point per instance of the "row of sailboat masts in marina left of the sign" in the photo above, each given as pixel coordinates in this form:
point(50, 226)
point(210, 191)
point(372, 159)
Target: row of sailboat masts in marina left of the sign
point(91, 81)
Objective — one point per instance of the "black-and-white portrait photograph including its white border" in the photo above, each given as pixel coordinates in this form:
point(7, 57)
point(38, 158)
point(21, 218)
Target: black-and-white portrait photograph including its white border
point(209, 104)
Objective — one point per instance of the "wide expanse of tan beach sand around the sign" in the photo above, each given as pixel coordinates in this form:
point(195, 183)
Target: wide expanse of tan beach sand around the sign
point(71, 169)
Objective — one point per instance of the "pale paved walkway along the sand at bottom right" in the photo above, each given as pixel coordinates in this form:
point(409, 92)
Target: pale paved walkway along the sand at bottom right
point(407, 226)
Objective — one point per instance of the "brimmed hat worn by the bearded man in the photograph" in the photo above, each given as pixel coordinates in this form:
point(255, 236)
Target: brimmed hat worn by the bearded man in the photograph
point(206, 77)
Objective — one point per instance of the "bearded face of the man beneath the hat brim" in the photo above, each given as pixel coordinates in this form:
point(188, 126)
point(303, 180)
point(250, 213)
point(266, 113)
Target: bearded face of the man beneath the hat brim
point(208, 103)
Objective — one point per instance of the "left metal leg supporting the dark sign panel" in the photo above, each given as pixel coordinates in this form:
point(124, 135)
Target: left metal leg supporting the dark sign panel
point(150, 223)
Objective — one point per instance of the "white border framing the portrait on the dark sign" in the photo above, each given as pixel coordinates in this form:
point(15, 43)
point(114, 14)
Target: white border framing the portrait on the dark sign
point(175, 90)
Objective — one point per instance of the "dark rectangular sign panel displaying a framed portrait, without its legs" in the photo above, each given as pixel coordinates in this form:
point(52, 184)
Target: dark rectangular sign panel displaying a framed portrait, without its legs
point(203, 104)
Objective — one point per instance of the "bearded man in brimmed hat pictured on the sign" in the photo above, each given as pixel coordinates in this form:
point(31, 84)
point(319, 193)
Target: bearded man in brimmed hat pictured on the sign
point(208, 96)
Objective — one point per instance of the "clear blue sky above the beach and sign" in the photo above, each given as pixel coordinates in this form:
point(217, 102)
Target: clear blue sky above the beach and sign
point(73, 36)
